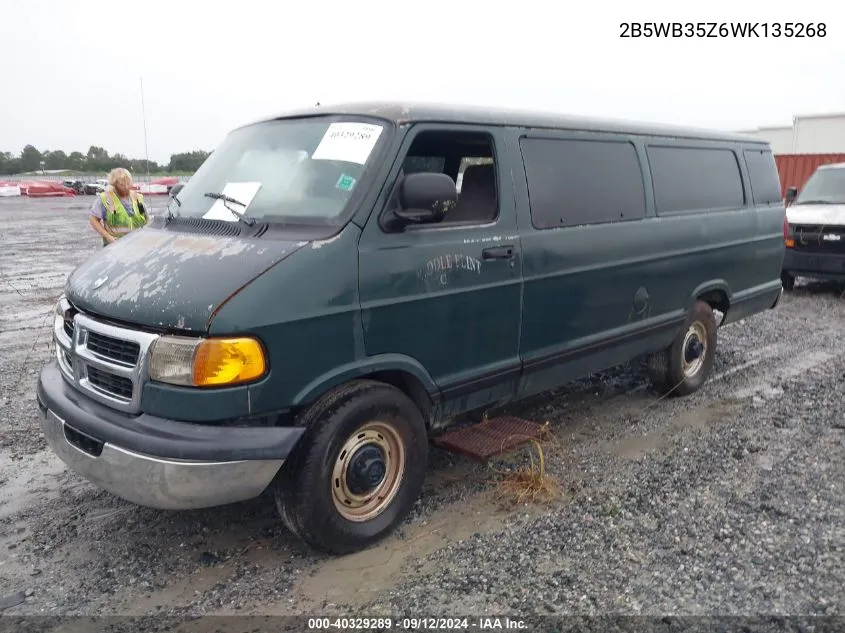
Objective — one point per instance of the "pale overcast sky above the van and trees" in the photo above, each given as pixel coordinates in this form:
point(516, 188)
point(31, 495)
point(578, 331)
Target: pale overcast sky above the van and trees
point(209, 66)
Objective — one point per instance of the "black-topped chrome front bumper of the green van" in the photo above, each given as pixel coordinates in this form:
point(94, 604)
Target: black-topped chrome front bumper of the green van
point(155, 462)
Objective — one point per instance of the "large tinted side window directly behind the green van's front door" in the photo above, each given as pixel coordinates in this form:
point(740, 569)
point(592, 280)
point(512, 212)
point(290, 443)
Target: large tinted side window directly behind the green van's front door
point(571, 183)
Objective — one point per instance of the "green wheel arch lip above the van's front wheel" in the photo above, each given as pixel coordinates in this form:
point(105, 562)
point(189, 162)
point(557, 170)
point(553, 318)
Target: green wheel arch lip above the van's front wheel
point(364, 367)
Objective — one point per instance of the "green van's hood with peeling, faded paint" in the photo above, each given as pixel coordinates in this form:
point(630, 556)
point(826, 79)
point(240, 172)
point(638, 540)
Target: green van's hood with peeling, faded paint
point(159, 278)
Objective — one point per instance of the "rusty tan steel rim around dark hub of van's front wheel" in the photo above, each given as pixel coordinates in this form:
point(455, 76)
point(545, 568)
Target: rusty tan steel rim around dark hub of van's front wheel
point(365, 506)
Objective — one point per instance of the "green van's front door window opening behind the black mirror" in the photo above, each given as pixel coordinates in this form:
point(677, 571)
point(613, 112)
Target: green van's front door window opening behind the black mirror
point(468, 158)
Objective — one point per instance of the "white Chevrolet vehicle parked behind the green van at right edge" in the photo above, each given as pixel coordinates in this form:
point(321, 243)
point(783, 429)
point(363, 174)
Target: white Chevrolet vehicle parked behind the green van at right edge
point(815, 243)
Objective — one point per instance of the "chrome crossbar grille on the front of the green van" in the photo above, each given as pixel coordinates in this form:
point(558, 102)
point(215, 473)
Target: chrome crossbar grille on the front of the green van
point(107, 363)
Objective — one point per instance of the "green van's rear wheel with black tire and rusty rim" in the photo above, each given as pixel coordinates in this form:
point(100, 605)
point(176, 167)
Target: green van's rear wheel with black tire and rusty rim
point(683, 367)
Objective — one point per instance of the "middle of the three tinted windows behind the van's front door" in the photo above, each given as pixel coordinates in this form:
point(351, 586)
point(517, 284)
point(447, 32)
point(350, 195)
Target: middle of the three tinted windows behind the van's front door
point(695, 179)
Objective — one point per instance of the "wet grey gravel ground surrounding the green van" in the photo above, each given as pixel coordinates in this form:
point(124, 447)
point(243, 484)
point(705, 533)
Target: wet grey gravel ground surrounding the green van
point(727, 502)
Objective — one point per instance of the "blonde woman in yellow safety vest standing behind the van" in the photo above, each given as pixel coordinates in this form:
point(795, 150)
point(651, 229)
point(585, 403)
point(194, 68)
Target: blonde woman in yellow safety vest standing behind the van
point(118, 210)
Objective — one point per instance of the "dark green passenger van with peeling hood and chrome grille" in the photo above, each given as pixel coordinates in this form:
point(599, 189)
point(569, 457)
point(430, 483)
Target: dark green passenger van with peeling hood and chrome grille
point(322, 296)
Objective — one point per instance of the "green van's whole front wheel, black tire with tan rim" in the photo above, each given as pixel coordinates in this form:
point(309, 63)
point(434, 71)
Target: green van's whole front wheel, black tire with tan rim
point(358, 469)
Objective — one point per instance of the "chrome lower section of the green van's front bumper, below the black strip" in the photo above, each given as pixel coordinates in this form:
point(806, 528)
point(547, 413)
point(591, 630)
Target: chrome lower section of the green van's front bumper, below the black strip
point(167, 484)
